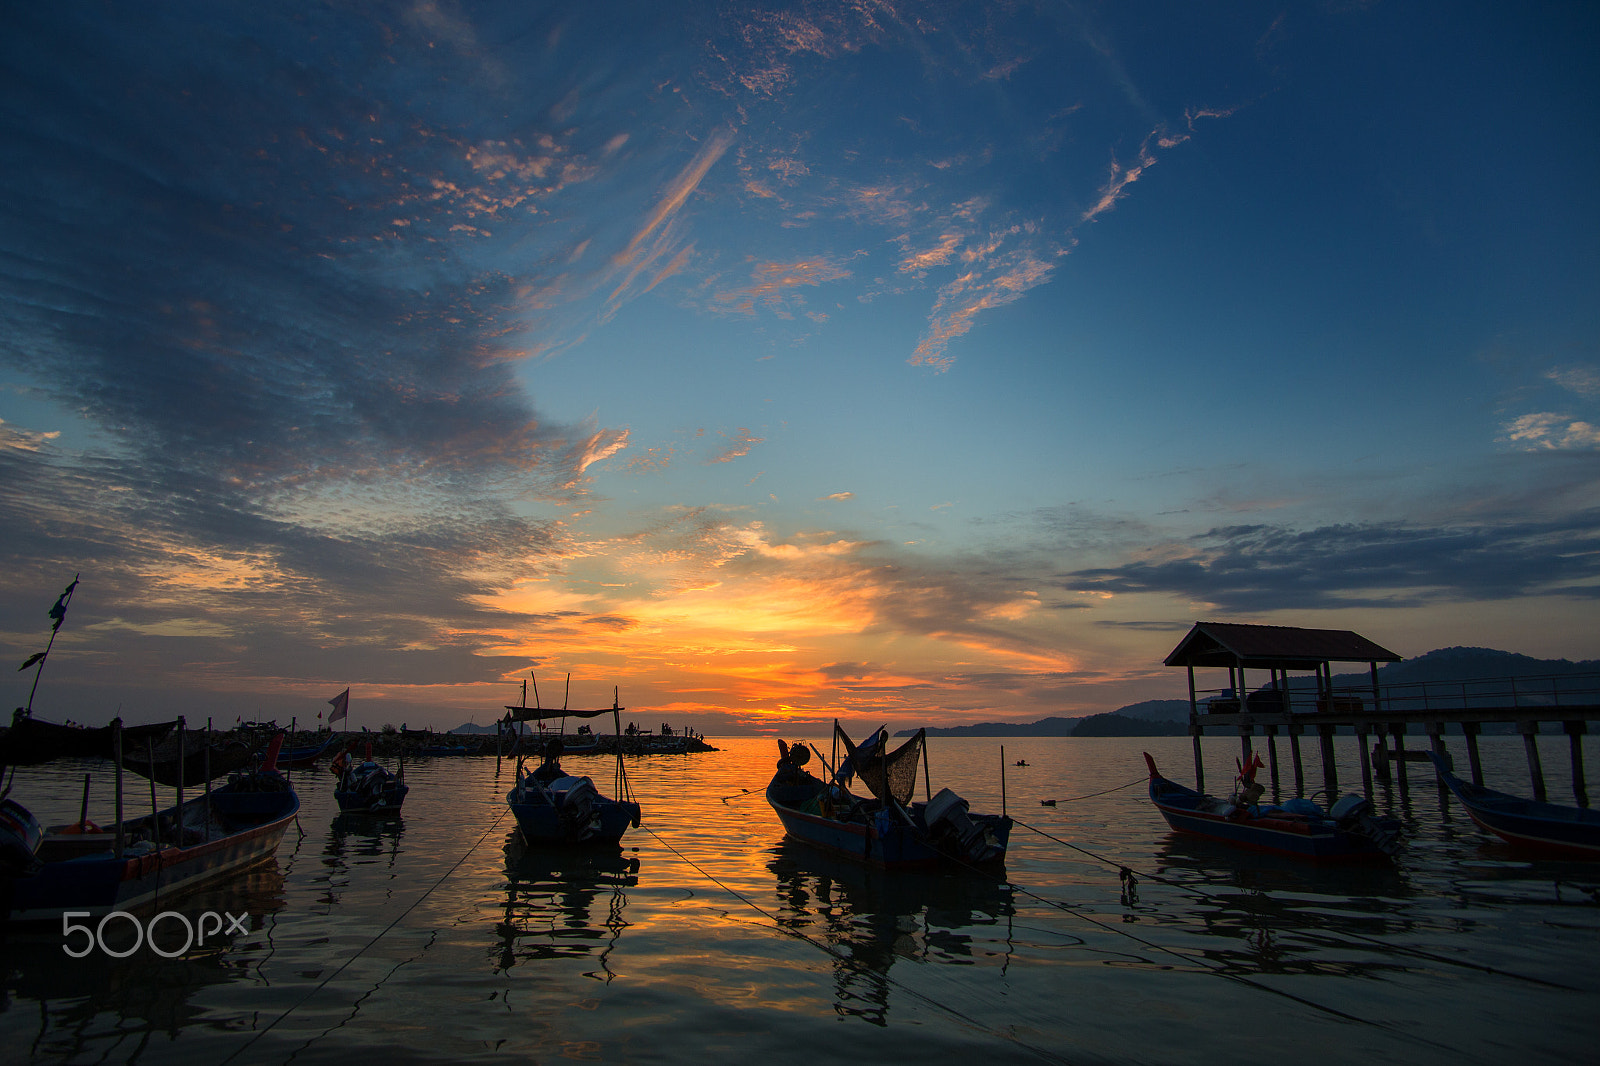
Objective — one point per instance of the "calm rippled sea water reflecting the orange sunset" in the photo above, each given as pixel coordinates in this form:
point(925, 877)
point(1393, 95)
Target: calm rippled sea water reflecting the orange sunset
point(706, 939)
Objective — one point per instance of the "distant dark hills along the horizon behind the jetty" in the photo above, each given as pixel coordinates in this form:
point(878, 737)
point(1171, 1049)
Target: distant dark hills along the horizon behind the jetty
point(1170, 718)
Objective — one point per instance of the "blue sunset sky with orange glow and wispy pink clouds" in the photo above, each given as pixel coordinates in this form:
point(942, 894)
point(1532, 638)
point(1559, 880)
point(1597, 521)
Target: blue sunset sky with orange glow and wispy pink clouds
point(766, 364)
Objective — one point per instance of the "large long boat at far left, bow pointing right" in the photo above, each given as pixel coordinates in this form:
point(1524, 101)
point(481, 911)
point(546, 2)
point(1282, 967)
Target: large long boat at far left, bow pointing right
point(92, 872)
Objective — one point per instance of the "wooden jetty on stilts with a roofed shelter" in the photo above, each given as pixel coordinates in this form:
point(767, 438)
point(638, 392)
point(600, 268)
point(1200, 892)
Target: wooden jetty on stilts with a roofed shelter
point(1383, 715)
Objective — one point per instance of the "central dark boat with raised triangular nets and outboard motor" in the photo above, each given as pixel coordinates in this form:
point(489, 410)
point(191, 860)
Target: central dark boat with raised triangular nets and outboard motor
point(886, 828)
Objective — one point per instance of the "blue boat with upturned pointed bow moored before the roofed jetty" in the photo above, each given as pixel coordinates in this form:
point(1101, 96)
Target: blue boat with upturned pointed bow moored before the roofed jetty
point(1350, 830)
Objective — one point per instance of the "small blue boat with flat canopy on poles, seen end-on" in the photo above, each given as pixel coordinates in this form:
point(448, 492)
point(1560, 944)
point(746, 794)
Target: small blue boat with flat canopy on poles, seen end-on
point(554, 808)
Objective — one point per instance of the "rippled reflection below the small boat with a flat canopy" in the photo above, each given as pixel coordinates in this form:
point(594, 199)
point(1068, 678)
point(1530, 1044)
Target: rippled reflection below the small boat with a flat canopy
point(564, 904)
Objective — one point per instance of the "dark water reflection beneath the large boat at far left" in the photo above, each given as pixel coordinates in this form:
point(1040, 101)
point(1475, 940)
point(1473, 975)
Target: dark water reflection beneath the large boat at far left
point(106, 1009)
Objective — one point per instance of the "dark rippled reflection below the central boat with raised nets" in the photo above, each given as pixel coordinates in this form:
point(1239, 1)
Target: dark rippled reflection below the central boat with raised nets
point(870, 920)
